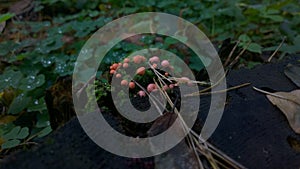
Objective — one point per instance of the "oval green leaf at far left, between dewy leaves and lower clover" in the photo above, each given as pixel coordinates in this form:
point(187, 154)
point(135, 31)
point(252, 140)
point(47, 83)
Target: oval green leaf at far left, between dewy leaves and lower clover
point(18, 104)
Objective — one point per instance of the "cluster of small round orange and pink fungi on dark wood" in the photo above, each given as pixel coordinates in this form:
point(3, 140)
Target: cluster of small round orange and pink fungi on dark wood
point(139, 60)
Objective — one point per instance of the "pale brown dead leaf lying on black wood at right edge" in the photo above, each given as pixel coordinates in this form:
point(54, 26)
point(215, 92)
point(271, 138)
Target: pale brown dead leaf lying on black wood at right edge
point(289, 104)
